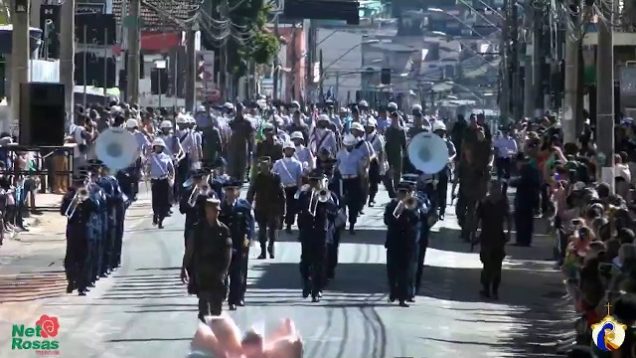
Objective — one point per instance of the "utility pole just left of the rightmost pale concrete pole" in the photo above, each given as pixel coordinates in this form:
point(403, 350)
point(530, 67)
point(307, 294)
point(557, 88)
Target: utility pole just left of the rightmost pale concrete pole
point(570, 102)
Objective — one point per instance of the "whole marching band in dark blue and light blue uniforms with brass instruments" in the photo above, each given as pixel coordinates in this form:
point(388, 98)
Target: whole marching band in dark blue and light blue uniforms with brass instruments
point(316, 178)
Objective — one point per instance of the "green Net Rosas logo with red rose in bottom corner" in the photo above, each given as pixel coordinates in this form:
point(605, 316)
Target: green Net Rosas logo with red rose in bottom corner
point(41, 337)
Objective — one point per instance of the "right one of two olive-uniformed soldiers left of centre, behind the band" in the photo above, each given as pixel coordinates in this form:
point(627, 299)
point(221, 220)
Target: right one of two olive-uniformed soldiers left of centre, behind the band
point(240, 145)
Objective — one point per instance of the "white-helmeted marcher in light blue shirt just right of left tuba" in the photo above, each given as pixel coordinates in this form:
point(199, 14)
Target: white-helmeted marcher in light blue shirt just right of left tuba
point(161, 169)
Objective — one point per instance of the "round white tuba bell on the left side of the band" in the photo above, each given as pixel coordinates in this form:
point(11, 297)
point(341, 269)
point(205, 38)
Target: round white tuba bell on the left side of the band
point(116, 148)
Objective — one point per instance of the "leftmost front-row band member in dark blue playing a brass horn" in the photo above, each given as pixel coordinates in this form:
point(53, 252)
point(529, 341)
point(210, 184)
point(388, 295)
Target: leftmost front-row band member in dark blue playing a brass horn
point(77, 207)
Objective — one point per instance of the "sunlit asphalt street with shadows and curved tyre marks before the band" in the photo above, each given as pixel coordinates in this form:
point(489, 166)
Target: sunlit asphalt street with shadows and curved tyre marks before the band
point(143, 310)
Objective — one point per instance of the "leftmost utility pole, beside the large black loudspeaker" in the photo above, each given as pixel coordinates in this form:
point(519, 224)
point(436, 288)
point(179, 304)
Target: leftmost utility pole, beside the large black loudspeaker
point(19, 55)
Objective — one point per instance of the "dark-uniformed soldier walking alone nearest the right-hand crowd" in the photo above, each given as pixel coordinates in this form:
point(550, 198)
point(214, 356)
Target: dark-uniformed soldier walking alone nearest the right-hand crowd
point(492, 213)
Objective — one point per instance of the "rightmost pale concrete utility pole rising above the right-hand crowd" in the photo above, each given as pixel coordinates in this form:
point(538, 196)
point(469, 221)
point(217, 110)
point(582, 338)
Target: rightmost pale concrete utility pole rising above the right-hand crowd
point(605, 97)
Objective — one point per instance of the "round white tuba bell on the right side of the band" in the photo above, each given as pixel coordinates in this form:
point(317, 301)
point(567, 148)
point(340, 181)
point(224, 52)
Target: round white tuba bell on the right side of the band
point(428, 152)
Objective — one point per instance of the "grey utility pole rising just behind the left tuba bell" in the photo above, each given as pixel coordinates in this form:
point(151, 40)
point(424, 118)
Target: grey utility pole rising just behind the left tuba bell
point(134, 51)
